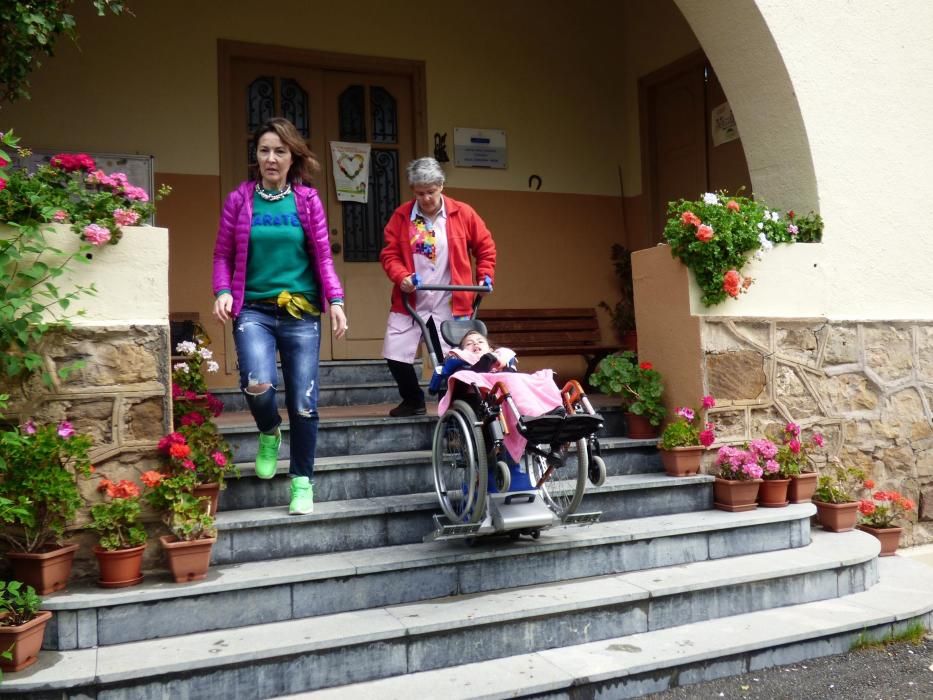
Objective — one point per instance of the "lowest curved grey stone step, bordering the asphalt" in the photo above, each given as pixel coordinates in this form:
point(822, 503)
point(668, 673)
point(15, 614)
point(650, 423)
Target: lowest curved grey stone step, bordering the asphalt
point(639, 664)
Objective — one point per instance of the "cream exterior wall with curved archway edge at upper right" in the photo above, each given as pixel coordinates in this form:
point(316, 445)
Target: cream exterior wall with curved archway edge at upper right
point(857, 108)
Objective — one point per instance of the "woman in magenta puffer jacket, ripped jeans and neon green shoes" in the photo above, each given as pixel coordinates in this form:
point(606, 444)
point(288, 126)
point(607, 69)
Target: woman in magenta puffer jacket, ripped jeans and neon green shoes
point(274, 276)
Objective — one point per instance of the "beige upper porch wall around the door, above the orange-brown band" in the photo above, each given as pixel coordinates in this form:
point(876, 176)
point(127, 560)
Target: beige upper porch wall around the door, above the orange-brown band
point(544, 73)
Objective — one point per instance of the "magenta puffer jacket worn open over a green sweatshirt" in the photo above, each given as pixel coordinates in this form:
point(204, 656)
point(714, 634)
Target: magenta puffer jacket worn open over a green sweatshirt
point(232, 245)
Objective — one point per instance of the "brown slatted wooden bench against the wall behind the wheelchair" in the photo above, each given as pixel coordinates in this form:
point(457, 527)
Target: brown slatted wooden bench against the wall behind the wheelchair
point(548, 332)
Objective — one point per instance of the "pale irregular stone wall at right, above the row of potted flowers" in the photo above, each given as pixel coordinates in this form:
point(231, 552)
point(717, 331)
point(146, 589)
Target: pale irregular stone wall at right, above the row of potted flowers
point(867, 386)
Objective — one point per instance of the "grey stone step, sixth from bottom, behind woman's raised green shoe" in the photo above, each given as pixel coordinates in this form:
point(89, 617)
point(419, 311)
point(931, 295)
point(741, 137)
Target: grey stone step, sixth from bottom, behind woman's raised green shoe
point(353, 430)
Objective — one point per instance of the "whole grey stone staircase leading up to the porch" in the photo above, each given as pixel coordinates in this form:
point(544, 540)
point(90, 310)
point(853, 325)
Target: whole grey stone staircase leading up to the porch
point(350, 602)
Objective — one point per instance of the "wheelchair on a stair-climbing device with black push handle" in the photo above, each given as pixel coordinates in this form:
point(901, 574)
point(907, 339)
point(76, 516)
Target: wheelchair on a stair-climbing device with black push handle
point(480, 488)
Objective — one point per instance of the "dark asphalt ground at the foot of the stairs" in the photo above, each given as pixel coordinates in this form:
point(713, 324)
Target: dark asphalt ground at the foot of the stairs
point(900, 671)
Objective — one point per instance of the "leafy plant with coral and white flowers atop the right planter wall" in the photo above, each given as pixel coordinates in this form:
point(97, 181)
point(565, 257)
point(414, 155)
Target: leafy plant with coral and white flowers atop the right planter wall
point(717, 234)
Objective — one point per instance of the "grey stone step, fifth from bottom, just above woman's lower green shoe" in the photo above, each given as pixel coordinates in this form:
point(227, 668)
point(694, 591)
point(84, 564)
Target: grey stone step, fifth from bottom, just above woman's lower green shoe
point(348, 477)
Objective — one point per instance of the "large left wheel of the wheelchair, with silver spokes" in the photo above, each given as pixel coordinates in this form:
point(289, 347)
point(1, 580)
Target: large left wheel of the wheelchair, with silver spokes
point(460, 471)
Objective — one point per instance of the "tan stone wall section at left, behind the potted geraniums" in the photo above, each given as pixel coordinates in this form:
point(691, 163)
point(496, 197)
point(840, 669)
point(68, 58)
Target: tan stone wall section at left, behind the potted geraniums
point(119, 396)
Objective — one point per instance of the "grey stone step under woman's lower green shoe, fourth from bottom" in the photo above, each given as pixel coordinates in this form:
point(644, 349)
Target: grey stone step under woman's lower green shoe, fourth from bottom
point(263, 533)
